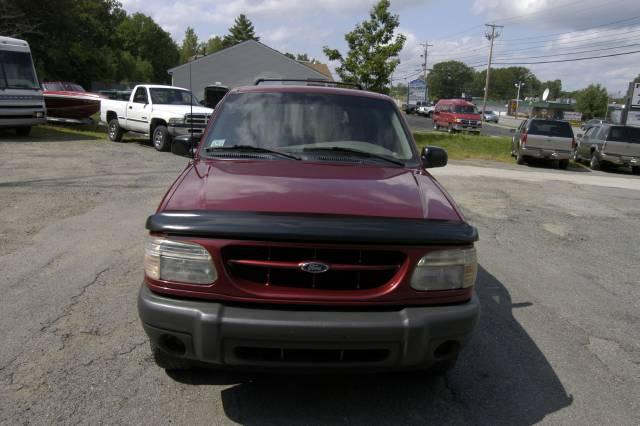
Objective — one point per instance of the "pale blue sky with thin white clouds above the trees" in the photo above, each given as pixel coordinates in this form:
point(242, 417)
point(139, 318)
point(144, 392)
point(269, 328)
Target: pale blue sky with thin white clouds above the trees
point(534, 30)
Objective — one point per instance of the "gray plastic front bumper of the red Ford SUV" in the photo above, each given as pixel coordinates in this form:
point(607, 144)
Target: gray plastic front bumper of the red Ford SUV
point(411, 337)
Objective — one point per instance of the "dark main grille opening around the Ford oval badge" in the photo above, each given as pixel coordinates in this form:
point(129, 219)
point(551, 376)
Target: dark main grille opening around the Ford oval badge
point(348, 269)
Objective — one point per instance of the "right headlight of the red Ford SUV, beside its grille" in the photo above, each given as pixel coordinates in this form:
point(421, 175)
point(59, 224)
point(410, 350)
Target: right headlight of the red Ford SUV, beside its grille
point(445, 270)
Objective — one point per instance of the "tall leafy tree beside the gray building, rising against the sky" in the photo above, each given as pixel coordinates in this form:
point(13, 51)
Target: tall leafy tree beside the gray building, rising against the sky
point(373, 50)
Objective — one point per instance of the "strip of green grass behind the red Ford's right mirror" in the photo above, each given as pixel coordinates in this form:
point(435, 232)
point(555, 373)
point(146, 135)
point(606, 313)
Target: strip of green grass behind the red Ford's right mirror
point(462, 146)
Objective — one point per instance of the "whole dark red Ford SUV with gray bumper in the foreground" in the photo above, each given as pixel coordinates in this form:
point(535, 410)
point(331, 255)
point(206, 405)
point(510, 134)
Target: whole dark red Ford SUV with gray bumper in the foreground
point(306, 233)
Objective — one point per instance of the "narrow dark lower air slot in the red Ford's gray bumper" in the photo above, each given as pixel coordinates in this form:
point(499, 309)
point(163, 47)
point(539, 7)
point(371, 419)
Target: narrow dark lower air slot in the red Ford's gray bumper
point(303, 356)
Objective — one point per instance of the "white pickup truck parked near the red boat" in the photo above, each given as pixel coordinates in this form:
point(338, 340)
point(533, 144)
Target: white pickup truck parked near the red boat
point(161, 112)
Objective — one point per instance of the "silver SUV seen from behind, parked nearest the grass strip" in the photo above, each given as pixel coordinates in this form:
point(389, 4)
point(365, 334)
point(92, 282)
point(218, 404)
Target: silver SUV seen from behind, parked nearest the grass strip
point(543, 139)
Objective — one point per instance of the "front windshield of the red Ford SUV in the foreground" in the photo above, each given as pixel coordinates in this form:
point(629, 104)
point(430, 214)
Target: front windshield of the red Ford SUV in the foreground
point(294, 122)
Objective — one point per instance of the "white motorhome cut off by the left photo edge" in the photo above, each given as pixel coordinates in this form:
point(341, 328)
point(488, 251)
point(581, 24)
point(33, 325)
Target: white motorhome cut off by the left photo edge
point(21, 100)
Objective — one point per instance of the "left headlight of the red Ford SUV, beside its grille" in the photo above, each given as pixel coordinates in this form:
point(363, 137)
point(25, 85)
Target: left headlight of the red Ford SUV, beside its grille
point(178, 261)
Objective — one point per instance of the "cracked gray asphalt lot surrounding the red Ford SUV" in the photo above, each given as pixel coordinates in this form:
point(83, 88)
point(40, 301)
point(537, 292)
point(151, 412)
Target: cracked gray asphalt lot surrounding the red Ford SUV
point(557, 343)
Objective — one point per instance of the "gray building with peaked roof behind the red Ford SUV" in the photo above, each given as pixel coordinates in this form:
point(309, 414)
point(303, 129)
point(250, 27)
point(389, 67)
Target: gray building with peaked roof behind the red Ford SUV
point(240, 65)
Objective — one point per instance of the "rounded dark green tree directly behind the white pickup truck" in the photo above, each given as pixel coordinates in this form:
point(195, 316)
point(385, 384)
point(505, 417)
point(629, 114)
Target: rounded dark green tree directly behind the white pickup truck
point(148, 43)
